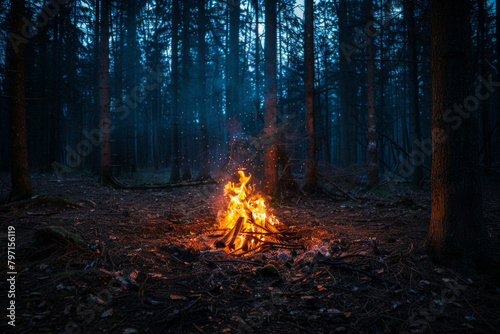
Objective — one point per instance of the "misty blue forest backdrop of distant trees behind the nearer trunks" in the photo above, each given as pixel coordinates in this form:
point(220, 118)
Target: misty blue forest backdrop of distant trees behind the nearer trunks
point(218, 81)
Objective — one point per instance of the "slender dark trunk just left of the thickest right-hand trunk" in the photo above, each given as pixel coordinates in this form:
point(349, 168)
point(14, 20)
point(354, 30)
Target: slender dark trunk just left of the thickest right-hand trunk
point(415, 129)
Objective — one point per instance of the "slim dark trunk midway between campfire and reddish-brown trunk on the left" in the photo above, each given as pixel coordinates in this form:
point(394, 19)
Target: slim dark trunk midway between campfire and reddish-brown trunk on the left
point(175, 174)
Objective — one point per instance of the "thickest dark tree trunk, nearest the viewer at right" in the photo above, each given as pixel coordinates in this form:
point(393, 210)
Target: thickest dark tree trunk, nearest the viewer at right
point(456, 230)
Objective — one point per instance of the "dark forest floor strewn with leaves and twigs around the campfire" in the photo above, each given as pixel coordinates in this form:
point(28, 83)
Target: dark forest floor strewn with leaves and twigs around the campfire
point(141, 261)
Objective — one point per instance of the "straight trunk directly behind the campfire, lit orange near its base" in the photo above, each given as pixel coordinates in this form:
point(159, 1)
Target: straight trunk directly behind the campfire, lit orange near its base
point(270, 150)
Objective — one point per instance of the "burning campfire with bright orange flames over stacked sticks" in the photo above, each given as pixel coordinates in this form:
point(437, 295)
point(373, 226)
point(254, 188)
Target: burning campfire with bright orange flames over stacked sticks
point(250, 227)
